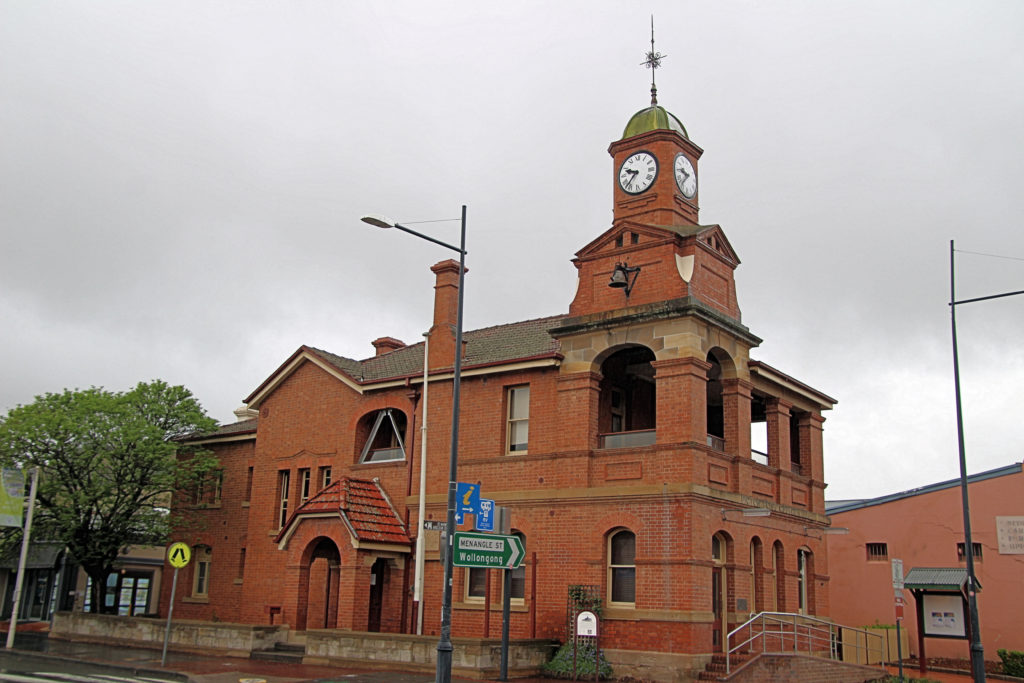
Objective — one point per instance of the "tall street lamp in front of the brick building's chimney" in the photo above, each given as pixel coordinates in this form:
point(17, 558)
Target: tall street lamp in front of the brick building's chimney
point(444, 674)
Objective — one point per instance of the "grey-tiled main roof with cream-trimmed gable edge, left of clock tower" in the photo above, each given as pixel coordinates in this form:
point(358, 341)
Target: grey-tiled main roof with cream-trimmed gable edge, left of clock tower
point(502, 345)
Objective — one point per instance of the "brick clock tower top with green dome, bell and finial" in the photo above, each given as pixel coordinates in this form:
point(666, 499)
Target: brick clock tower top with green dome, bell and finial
point(657, 257)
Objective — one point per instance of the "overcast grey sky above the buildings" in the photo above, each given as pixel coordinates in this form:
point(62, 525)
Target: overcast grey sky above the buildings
point(182, 184)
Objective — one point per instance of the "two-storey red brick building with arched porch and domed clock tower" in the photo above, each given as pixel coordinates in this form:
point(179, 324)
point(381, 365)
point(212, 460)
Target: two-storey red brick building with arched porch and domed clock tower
point(618, 435)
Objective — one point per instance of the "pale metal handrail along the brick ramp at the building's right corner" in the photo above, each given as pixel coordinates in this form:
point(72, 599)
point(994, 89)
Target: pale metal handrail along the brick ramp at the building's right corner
point(807, 633)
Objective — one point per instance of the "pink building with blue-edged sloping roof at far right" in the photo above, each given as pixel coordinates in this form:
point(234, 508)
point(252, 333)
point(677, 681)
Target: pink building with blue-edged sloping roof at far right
point(924, 528)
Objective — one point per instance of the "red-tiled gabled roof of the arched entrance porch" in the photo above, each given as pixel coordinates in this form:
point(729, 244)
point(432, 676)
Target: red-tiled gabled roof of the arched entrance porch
point(361, 505)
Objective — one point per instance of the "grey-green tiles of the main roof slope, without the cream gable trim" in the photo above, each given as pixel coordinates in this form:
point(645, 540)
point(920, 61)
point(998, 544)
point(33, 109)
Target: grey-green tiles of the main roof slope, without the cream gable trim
point(502, 344)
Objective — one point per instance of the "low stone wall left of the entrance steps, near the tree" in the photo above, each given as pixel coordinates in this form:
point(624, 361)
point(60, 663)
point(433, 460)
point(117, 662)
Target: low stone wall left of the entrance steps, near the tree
point(228, 639)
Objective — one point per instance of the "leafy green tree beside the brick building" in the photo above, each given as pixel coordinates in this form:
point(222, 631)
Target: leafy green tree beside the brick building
point(109, 466)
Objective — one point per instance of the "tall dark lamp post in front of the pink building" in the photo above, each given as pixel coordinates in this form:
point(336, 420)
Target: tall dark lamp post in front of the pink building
point(977, 652)
